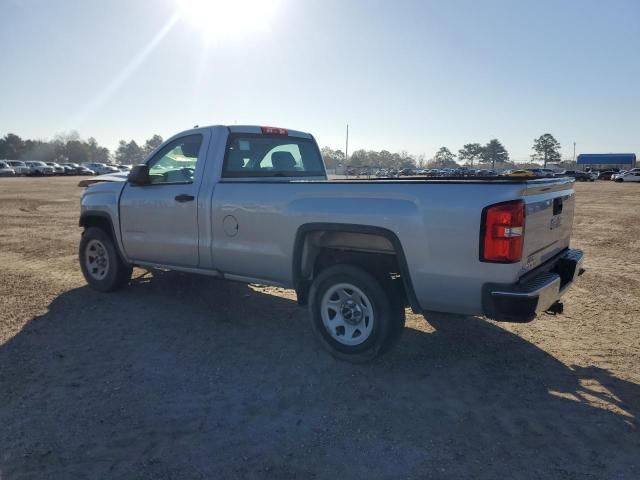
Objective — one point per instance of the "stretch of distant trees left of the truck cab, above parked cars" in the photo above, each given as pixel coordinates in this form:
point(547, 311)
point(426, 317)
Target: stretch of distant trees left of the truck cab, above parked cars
point(70, 147)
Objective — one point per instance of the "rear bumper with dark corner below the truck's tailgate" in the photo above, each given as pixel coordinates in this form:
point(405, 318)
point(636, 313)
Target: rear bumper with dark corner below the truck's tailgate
point(535, 292)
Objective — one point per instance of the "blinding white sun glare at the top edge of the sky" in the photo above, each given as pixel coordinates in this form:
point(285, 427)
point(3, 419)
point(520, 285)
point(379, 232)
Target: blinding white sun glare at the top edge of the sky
point(219, 20)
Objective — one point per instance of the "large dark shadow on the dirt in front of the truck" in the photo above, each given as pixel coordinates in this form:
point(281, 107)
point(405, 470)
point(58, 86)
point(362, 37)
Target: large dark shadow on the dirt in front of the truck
point(189, 377)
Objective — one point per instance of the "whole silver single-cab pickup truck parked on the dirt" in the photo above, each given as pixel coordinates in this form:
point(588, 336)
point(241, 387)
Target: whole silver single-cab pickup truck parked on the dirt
point(253, 204)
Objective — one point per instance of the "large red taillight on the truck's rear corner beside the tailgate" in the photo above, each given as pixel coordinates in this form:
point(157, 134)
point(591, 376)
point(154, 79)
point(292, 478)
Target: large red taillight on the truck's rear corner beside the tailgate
point(502, 232)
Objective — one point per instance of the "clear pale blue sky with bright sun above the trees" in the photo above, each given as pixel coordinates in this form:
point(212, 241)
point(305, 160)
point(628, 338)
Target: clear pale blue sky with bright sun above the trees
point(405, 75)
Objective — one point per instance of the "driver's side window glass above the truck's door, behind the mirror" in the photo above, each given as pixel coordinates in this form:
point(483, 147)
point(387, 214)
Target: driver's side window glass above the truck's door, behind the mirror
point(176, 162)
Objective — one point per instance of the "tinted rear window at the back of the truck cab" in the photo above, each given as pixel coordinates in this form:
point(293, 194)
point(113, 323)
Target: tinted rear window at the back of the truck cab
point(255, 155)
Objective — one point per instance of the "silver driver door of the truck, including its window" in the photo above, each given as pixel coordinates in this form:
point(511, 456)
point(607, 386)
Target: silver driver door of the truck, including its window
point(159, 221)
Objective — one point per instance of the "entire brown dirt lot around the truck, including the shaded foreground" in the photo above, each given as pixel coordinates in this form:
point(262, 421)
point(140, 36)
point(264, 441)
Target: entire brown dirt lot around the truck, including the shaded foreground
point(188, 377)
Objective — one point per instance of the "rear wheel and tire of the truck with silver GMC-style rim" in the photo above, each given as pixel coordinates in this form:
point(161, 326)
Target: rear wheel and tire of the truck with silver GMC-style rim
point(352, 315)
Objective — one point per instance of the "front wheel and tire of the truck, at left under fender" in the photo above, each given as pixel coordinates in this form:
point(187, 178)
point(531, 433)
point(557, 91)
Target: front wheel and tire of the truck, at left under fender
point(101, 264)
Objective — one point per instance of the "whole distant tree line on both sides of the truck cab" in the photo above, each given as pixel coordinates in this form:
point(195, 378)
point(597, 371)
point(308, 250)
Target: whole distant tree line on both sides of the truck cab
point(70, 147)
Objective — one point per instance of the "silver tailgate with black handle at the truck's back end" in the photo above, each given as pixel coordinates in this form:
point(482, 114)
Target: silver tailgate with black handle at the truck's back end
point(548, 220)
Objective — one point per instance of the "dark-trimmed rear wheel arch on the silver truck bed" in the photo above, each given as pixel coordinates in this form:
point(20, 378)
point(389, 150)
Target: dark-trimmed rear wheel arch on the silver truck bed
point(344, 237)
